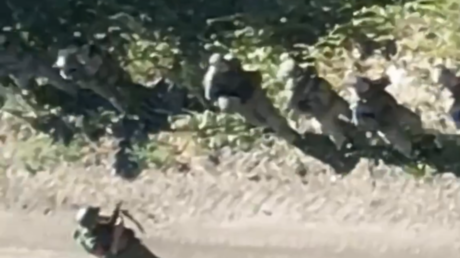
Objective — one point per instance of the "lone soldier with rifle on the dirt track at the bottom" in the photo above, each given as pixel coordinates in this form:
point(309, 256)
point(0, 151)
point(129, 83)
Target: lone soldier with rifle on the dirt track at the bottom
point(106, 236)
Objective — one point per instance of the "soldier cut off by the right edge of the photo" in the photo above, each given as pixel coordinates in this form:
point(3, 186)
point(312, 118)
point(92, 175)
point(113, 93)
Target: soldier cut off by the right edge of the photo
point(447, 78)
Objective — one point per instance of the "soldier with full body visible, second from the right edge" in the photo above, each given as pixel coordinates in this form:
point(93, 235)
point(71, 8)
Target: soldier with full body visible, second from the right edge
point(377, 110)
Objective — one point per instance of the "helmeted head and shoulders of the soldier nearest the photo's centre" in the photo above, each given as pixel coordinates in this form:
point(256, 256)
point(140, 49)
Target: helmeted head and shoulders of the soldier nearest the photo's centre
point(222, 69)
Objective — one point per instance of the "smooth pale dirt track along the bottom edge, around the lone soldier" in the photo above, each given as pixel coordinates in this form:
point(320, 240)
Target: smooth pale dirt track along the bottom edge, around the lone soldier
point(34, 235)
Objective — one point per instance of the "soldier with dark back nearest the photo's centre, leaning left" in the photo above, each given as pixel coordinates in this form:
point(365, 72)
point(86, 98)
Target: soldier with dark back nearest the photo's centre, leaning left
point(239, 91)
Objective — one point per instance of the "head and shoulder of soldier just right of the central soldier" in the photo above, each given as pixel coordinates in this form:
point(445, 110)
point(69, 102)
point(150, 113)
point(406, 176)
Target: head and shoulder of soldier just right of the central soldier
point(292, 74)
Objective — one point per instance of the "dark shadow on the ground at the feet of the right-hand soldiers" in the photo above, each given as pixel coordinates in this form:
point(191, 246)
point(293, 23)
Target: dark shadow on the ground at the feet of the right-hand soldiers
point(441, 160)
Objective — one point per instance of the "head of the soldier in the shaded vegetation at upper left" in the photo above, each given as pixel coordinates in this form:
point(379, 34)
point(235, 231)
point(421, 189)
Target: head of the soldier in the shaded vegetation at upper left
point(78, 63)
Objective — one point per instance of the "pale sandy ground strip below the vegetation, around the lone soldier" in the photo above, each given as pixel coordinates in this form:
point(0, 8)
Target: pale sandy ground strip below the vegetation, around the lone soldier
point(222, 213)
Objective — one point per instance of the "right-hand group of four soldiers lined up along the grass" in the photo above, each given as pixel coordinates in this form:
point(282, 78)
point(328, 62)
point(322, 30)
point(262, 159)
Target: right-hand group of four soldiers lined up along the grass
point(236, 90)
